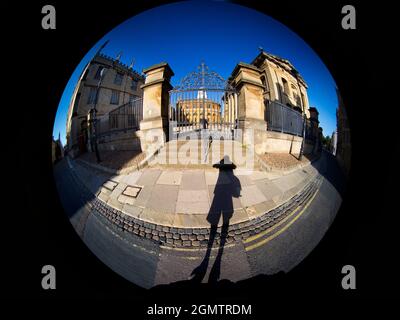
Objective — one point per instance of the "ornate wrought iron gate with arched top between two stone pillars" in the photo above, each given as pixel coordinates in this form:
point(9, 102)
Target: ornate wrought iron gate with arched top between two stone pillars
point(203, 104)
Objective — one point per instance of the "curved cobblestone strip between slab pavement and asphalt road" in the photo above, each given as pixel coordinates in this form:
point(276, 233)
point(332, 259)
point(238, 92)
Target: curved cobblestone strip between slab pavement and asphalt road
point(197, 237)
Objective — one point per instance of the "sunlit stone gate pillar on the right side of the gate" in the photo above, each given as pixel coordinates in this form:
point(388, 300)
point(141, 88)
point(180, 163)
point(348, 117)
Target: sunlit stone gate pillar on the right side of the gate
point(246, 80)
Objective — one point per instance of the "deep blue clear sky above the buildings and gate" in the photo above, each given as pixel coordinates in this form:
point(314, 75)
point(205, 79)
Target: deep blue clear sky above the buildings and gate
point(222, 34)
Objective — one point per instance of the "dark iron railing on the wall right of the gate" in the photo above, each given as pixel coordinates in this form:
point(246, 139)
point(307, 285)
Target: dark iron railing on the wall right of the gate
point(284, 119)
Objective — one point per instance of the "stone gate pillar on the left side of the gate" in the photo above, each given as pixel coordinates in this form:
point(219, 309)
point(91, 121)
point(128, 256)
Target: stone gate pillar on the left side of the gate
point(154, 126)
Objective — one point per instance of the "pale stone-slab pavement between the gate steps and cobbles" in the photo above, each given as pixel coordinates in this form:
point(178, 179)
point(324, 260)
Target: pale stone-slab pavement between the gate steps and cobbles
point(180, 200)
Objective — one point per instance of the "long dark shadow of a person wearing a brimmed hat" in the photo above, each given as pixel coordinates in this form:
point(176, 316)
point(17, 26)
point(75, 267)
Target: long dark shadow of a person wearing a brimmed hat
point(221, 210)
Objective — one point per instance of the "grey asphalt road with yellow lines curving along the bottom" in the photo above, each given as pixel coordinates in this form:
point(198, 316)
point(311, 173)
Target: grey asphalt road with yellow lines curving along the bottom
point(147, 264)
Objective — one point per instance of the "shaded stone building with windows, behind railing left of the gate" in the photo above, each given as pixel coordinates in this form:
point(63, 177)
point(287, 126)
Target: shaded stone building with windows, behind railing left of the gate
point(106, 84)
